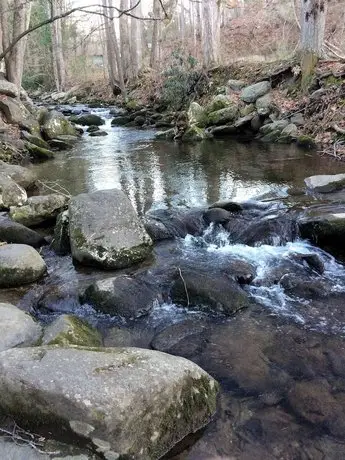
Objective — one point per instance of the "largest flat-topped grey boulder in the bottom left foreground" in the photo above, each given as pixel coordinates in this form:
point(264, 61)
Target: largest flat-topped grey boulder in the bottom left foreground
point(127, 402)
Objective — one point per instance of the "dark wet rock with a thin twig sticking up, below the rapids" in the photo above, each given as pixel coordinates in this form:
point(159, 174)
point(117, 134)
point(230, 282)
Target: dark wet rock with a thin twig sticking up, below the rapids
point(206, 291)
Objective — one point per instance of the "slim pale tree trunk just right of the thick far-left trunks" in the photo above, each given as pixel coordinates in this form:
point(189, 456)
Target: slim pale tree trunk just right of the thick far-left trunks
point(57, 48)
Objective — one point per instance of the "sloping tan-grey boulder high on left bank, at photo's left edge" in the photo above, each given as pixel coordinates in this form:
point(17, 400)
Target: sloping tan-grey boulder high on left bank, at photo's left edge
point(16, 113)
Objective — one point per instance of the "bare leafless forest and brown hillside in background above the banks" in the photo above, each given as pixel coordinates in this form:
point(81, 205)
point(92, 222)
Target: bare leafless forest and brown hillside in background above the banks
point(116, 41)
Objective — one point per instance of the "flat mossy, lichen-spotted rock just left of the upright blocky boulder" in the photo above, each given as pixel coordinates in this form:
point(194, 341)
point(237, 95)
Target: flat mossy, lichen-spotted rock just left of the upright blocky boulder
point(39, 209)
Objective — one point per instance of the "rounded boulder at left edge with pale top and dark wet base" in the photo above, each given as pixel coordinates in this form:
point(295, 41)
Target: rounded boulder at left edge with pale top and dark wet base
point(20, 264)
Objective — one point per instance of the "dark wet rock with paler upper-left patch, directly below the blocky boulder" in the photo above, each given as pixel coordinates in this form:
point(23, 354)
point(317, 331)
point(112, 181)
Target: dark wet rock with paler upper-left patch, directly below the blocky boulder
point(119, 296)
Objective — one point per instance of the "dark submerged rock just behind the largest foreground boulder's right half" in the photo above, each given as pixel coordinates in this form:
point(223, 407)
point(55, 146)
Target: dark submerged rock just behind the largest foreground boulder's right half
point(184, 339)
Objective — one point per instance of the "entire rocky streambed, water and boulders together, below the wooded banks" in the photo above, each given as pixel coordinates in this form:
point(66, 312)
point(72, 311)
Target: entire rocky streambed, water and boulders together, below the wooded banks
point(174, 274)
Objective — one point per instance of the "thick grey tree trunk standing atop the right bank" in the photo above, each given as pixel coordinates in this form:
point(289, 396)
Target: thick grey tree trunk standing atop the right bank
point(312, 37)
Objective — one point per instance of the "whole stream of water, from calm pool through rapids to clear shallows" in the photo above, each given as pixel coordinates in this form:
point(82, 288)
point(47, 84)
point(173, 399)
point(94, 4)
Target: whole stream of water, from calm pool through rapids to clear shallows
point(286, 338)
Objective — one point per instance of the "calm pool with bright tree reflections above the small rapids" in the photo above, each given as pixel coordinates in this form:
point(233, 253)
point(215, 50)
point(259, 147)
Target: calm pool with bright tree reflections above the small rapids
point(159, 174)
